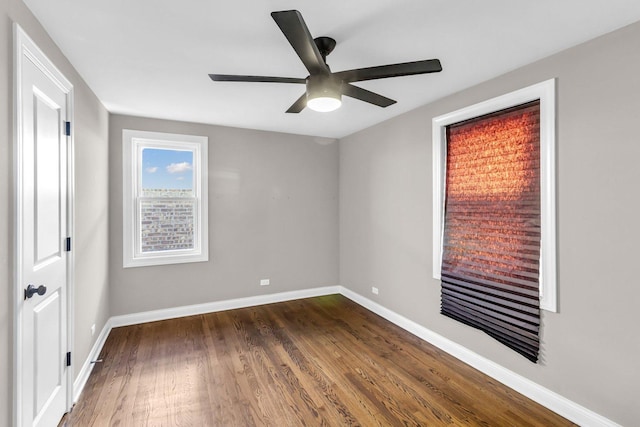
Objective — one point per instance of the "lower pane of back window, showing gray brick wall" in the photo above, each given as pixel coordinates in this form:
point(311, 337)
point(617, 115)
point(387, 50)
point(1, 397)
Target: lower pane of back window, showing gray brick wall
point(167, 224)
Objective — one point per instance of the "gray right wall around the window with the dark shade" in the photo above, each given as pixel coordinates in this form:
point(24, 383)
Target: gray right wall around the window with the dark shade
point(590, 348)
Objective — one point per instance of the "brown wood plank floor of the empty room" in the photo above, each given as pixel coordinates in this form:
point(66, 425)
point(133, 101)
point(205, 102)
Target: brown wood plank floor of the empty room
point(322, 361)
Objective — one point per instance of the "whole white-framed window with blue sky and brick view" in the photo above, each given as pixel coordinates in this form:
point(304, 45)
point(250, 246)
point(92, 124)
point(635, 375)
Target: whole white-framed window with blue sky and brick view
point(165, 198)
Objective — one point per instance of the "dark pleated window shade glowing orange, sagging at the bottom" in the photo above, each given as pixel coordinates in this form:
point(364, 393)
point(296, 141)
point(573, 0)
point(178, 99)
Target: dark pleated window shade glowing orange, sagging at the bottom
point(491, 239)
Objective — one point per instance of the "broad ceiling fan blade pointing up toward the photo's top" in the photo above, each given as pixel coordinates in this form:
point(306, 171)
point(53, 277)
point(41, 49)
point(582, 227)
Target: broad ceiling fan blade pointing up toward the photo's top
point(295, 30)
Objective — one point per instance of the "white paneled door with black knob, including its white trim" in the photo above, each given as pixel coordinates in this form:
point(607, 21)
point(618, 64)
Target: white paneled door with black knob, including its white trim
point(43, 108)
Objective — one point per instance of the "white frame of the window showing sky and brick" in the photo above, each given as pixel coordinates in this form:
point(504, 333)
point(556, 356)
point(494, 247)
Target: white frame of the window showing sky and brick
point(134, 141)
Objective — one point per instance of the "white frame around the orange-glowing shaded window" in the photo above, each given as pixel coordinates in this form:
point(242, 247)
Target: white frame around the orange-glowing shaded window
point(545, 92)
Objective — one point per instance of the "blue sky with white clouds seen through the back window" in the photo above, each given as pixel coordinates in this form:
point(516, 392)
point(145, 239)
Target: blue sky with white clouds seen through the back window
point(167, 169)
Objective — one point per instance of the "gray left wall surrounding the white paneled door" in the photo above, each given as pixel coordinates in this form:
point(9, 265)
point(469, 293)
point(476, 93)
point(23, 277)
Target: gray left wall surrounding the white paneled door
point(91, 200)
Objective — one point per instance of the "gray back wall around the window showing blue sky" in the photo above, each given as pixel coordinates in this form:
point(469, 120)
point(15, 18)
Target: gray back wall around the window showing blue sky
point(273, 213)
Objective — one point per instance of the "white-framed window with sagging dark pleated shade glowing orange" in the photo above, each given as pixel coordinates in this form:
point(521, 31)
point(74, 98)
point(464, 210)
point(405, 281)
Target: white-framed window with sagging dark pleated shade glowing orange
point(494, 214)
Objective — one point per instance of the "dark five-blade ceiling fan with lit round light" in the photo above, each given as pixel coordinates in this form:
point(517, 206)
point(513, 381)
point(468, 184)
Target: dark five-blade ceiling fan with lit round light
point(324, 89)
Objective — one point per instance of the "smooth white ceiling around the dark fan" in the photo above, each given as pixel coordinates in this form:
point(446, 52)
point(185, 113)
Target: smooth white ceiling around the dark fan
point(152, 57)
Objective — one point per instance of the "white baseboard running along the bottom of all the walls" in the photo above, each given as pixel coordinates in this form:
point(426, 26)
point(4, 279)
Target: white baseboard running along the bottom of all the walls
point(547, 398)
